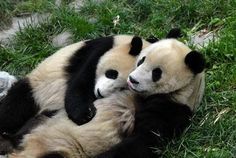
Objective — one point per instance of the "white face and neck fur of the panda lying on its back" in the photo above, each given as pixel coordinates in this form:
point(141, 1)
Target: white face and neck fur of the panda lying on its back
point(169, 56)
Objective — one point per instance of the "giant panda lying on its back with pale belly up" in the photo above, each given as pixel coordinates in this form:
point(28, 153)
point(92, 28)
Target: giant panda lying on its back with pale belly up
point(168, 83)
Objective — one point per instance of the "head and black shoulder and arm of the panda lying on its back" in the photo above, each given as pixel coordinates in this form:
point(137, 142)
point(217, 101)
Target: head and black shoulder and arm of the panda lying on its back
point(170, 78)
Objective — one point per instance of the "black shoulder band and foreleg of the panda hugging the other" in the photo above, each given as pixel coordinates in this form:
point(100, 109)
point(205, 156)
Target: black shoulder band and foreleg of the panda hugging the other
point(81, 79)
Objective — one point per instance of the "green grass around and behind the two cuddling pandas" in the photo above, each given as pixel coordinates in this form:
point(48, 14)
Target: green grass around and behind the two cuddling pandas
point(207, 137)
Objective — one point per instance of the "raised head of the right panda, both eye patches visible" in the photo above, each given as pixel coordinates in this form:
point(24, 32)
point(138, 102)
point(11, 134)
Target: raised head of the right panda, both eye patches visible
point(165, 67)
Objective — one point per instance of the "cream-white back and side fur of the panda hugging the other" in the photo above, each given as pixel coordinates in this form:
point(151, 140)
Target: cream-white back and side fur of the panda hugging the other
point(48, 78)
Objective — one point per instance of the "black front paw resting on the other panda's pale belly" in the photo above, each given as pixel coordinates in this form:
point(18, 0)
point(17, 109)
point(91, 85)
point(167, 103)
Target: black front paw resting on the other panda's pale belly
point(82, 117)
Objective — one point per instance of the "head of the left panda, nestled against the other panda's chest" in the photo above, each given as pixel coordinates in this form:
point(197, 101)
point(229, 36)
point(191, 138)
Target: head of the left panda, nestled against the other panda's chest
point(114, 67)
